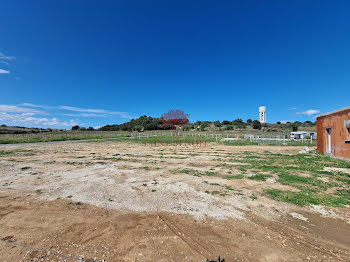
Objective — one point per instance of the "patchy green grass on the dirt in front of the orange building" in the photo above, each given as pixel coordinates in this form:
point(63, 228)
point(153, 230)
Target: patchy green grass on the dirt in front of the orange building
point(305, 173)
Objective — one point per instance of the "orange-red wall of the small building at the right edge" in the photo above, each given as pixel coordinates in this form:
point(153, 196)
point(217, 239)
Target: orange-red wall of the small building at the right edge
point(338, 123)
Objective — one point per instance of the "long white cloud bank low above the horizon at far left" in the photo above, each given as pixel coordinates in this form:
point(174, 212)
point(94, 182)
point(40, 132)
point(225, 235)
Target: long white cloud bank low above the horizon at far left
point(28, 119)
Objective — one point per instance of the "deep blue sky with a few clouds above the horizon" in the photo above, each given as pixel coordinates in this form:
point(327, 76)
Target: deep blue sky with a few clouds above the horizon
point(103, 62)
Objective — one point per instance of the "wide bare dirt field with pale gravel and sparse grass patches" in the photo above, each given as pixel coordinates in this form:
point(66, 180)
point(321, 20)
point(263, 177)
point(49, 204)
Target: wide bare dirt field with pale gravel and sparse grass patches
point(118, 201)
